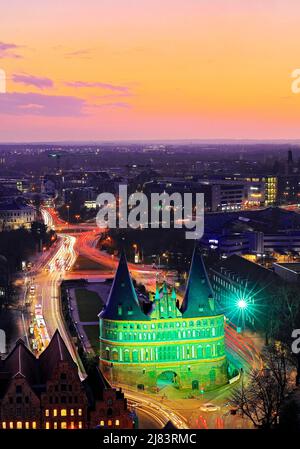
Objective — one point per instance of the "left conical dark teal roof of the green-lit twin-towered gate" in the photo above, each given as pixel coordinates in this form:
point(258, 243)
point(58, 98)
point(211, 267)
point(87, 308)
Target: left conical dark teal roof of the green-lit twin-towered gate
point(123, 303)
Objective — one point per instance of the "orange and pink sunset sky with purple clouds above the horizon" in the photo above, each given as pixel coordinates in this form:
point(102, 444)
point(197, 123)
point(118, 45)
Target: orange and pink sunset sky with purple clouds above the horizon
point(149, 69)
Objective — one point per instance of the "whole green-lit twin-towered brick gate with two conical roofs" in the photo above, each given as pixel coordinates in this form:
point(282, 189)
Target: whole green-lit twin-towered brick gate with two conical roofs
point(183, 346)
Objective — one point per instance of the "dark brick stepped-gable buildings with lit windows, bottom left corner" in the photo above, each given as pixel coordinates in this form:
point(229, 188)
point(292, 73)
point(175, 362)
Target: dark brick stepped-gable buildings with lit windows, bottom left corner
point(47, 393)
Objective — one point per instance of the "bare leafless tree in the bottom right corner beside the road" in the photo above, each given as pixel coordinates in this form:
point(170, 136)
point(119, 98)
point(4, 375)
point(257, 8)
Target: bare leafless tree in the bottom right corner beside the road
point(262, 393)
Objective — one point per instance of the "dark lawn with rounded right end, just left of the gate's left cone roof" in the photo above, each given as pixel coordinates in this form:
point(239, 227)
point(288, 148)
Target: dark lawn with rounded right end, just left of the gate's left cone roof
point(89, 304)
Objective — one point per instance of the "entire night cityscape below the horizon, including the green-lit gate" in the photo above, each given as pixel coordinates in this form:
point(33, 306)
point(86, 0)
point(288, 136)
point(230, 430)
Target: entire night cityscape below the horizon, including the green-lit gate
point(185, 328)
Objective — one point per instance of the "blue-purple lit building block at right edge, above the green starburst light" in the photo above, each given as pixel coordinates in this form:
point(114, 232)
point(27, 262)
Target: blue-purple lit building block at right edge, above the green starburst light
point(259, 233)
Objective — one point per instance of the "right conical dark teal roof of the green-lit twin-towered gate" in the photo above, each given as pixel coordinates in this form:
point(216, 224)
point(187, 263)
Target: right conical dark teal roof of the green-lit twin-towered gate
point(198, 300)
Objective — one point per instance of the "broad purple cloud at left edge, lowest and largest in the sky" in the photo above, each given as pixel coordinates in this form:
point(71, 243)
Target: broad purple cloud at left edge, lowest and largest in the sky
point(43, 105)
